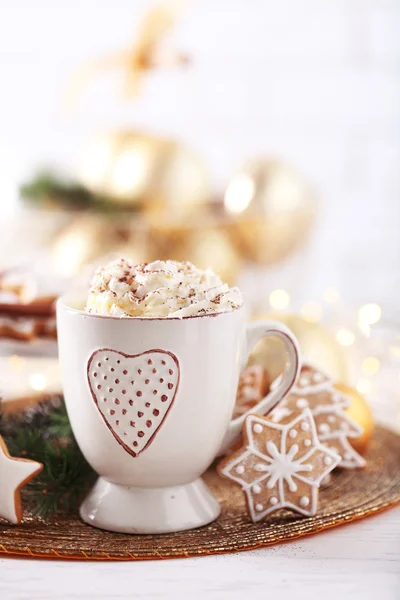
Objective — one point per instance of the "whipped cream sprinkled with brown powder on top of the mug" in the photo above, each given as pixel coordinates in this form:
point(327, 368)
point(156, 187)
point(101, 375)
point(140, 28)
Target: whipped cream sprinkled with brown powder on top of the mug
point(159, 289)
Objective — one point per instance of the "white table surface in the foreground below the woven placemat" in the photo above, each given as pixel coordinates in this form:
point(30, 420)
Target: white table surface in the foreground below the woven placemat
point(359, 561)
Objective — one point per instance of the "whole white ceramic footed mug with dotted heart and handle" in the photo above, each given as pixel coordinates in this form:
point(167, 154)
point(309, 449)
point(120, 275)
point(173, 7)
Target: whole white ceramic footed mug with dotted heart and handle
point(150, 402)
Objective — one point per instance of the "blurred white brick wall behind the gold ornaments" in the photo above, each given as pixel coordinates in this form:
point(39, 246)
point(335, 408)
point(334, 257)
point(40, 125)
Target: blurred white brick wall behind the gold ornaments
point(314, 81)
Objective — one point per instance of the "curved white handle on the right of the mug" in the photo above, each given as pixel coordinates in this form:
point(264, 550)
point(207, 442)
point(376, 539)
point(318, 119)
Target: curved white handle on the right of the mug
point(254, 332)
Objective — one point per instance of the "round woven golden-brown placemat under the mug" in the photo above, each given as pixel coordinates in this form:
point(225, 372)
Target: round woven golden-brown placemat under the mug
point(347, 498)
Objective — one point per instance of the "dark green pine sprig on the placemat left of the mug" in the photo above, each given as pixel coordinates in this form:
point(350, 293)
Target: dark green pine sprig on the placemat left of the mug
point(66, 475)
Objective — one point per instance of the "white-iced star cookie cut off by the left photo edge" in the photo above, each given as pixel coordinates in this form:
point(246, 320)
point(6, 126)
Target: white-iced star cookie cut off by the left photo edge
point(15, 473)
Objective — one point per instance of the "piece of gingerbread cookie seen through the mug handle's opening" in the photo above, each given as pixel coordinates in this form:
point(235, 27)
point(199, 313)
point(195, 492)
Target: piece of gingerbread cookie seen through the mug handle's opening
point(253, 387)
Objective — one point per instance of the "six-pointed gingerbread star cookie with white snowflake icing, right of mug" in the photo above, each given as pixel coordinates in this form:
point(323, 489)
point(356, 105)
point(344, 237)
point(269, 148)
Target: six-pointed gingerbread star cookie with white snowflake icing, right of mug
point(280, 465)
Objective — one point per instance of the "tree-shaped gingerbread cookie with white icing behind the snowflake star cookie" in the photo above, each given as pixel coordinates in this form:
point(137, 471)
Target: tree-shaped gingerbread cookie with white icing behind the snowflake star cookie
point(315, 390)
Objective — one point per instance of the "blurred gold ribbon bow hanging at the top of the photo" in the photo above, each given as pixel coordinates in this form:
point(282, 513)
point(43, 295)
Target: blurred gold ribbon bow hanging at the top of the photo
point(144, 55)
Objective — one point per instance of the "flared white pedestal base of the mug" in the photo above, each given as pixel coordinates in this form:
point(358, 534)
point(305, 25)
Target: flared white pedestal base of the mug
point(149, 510)
